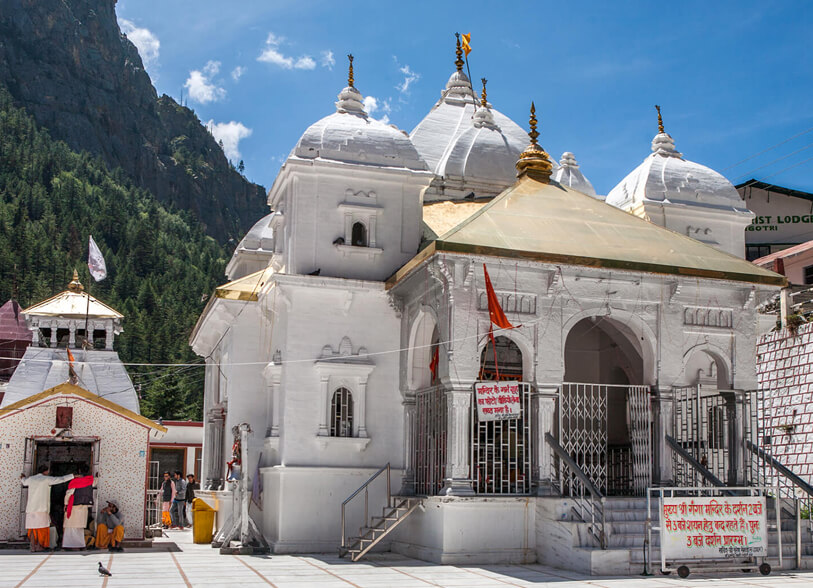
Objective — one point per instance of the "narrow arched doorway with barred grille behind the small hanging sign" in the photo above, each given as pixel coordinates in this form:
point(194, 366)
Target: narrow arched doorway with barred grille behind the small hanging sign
point(501, 450)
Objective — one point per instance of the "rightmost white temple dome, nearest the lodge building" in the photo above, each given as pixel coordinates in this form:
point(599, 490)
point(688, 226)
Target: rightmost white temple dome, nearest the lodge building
point(665, 176)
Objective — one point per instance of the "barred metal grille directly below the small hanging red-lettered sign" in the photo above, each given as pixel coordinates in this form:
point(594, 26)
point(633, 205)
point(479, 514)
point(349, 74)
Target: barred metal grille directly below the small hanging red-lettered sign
point(501, 451)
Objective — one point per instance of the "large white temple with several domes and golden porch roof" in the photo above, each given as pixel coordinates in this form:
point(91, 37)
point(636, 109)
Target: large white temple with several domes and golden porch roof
point(356, 323)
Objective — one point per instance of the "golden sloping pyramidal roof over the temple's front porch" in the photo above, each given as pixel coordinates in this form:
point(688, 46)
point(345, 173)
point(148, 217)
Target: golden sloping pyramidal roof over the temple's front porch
point(551, 223)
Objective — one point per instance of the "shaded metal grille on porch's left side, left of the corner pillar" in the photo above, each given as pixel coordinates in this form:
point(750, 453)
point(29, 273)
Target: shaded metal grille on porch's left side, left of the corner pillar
point(430, 441)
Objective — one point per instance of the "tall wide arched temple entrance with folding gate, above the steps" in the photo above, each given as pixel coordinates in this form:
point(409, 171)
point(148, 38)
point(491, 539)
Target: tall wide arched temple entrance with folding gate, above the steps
point(604, 408)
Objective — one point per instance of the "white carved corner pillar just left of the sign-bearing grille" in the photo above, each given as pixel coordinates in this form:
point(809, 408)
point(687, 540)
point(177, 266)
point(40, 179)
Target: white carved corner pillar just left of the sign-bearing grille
point(458, 443)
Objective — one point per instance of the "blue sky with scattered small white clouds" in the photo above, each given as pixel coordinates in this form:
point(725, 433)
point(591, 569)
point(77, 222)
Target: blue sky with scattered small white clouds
point(733, 78)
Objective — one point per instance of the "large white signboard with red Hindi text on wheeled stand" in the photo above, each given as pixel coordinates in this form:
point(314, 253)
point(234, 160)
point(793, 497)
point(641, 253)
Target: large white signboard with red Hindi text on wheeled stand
point(723, 527)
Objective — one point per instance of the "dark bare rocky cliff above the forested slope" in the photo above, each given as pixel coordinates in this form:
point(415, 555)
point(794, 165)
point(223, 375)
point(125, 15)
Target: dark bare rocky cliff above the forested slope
point(68, 64)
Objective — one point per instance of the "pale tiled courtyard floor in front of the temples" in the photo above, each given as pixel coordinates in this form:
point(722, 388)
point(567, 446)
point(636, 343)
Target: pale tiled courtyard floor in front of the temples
point(176, 562)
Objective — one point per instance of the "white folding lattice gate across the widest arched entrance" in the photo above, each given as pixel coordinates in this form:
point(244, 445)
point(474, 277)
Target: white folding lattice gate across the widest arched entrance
point(583, 434)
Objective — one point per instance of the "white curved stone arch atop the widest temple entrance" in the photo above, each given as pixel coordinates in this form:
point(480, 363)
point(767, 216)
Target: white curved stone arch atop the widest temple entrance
point(630, 330)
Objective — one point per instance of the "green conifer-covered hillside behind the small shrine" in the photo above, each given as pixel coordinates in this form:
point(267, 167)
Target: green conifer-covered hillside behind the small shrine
point(161, 265)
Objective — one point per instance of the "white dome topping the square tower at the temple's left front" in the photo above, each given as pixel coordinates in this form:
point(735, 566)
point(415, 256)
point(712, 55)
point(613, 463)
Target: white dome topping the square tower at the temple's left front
point(350, 135)
